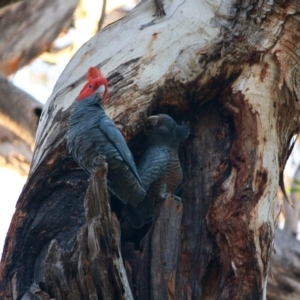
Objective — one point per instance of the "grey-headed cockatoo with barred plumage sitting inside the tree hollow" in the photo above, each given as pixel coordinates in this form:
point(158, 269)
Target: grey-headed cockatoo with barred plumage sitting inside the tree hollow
point(159, 169)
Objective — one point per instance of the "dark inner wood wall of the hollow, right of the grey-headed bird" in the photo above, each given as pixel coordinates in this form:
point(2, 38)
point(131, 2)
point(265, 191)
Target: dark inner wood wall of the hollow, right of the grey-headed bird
point(206, 161)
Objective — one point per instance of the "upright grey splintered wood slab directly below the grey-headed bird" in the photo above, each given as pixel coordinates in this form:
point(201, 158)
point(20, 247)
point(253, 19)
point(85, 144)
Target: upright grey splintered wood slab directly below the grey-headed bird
point(163, 253)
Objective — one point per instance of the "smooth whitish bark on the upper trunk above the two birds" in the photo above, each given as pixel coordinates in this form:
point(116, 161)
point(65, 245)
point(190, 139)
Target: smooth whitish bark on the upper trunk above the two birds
point(148, 57)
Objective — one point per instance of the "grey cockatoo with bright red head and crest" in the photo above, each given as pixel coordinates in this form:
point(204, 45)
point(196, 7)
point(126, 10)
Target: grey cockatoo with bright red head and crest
point(92, 133)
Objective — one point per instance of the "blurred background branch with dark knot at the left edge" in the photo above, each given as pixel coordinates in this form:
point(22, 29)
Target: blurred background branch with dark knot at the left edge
point(19, 115)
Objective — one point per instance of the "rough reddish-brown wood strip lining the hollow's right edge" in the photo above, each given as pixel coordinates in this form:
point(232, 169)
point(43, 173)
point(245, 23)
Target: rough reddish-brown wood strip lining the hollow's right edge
point(232, 209)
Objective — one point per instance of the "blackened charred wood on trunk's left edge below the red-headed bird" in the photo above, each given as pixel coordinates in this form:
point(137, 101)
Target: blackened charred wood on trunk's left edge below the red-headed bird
point(55, 212)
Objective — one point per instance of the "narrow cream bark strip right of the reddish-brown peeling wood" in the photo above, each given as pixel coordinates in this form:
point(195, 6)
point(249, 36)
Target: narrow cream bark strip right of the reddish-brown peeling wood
point(260, 96)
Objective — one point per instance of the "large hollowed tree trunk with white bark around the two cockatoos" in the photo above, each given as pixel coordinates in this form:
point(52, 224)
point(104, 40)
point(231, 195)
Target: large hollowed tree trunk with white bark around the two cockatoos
point(231, 69)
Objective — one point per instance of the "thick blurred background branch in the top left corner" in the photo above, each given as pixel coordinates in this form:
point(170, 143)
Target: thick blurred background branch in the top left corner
point(29, 28)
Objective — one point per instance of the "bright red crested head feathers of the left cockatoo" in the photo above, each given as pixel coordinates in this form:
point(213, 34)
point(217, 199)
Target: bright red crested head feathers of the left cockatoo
point(94, 79)
